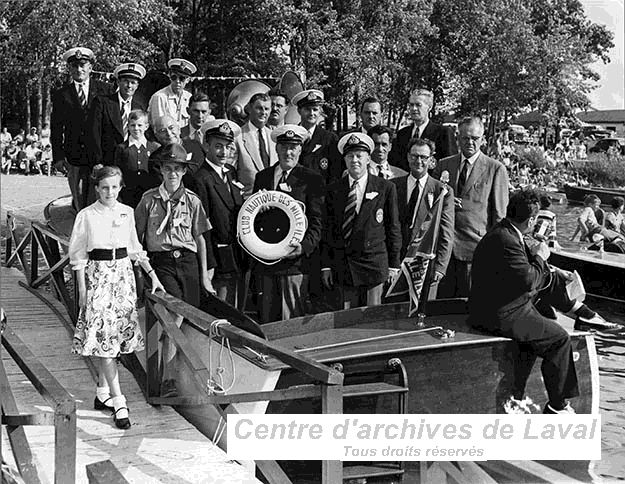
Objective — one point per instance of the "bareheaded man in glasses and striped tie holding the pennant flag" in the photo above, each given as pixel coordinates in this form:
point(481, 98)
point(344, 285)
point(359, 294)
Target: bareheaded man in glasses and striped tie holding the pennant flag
point(416, 207)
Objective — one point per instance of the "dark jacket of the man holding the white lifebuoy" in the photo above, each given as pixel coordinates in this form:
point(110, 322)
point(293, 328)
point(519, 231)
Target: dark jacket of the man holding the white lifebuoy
point(307, 187)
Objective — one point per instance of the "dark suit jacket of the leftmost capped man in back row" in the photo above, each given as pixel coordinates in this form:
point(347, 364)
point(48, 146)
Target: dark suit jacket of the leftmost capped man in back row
point(69, 128)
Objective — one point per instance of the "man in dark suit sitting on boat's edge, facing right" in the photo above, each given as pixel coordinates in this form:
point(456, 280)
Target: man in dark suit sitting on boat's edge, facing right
point(514, 293)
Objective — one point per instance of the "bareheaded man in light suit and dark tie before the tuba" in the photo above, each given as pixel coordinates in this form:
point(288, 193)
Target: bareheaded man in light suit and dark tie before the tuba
point(257, 150)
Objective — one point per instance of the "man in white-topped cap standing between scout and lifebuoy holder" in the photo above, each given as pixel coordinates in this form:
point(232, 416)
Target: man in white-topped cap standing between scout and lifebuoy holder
point(221, 196)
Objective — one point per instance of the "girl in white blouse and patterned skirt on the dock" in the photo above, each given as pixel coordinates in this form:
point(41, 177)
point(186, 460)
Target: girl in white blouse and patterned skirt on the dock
point(102, 246)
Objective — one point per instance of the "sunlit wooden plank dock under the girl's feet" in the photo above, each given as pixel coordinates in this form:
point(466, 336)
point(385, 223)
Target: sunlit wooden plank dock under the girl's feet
point(161, 446)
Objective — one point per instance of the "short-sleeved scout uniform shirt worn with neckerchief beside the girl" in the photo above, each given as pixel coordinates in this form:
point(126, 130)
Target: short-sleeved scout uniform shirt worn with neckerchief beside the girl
point(169, 223)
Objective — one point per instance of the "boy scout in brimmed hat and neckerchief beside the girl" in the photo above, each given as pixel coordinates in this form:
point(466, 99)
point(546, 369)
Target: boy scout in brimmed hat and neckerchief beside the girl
point(170, 223)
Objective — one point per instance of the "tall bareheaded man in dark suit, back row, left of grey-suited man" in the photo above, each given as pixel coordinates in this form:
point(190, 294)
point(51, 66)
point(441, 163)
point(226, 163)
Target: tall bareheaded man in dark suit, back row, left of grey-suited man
point(420, 105)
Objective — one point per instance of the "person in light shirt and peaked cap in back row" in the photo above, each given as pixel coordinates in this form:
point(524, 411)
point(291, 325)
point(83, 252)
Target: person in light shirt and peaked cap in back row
point(173, 100)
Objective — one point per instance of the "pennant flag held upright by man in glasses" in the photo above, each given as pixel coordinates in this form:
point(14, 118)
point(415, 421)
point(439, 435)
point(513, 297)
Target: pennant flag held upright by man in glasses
point(420, 252)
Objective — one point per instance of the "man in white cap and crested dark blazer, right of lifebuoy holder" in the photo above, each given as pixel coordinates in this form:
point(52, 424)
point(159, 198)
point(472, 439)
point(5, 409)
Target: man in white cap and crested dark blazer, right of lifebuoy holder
point(362, 237)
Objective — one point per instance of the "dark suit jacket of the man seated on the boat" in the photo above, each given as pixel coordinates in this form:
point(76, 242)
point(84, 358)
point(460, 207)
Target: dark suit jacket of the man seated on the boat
point(504, 275)
